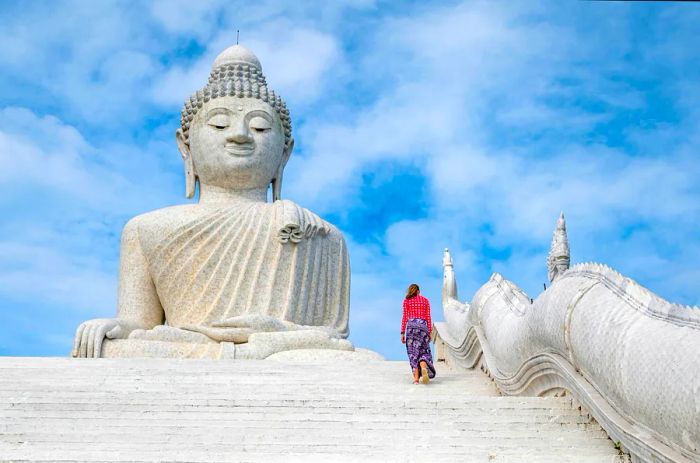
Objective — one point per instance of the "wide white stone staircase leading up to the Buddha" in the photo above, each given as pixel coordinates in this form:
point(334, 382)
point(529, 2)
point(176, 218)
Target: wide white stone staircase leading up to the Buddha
point(146, 410)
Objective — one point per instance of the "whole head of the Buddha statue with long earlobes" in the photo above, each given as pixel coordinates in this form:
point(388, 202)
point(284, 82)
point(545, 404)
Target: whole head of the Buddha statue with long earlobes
point(235, 133)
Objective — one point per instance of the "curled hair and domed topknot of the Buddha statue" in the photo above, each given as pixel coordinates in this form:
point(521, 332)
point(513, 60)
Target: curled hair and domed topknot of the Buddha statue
point(236, 72)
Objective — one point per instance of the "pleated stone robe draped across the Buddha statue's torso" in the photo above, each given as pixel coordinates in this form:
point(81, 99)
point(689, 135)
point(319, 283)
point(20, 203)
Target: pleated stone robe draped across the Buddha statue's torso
point(209, 263)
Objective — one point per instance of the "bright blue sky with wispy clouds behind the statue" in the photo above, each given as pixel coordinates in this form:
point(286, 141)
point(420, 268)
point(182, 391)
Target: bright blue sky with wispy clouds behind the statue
point(418, 126)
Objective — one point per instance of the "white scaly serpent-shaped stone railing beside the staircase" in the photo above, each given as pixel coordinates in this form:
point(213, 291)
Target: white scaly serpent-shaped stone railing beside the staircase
point(629, 357)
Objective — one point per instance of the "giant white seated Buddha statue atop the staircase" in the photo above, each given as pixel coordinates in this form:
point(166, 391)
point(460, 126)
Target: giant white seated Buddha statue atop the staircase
point(232, 276)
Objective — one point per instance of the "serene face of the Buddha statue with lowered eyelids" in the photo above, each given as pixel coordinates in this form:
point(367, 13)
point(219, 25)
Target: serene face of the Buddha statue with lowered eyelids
point(236, 143)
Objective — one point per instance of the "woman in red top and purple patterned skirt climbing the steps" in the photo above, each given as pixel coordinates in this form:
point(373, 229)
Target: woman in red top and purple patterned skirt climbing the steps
point(416, 332)
